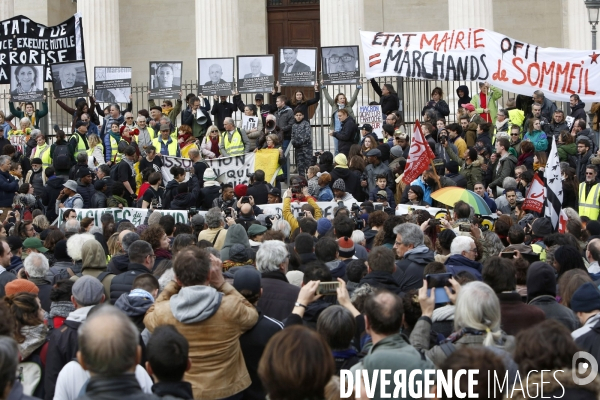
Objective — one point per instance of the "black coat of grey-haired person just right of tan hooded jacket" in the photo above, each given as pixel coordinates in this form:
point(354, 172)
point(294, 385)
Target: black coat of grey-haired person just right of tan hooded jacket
point(279, 296)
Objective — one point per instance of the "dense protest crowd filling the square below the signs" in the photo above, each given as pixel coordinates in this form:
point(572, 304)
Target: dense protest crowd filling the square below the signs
point(237, 303)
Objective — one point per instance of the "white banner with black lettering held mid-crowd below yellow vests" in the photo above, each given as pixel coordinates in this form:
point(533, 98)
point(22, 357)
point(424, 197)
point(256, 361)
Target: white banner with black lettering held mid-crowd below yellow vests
point(235, 169)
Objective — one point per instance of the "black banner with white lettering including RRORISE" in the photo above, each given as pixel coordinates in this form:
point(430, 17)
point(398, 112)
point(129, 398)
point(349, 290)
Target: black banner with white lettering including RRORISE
point(23, 41)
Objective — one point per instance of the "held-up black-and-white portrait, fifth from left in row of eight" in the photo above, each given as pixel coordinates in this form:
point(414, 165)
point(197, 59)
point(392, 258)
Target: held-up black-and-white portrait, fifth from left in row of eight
point(215, 76)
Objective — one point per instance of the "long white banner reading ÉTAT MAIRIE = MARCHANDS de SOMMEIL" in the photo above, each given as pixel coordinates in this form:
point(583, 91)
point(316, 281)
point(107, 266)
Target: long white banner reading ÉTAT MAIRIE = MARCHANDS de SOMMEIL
point(477, 54)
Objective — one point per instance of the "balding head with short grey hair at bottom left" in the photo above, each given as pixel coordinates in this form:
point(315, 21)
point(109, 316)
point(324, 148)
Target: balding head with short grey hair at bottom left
point(108, 353)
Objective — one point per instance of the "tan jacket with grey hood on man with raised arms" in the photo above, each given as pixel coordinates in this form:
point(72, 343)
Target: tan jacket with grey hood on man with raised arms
point(212, 320)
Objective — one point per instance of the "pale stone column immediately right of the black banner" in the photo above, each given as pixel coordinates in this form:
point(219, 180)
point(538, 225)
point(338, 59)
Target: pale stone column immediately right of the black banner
point(101, 33)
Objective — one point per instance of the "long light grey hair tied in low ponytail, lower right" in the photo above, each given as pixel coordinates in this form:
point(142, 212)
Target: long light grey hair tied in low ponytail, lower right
point(482, 315)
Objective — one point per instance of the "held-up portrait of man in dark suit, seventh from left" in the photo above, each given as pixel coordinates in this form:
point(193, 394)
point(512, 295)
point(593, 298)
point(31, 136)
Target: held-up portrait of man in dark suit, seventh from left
point(297, 66)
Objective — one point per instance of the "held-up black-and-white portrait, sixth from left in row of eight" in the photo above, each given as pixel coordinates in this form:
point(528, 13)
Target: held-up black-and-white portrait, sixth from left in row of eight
point(255, 74)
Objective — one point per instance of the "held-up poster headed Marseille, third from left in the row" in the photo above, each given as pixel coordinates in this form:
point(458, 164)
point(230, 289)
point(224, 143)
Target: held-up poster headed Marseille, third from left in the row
point(112, 84)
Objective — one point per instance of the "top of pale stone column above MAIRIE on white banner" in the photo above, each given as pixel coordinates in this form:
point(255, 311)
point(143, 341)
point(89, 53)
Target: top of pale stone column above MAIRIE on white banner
point(470, 14)
